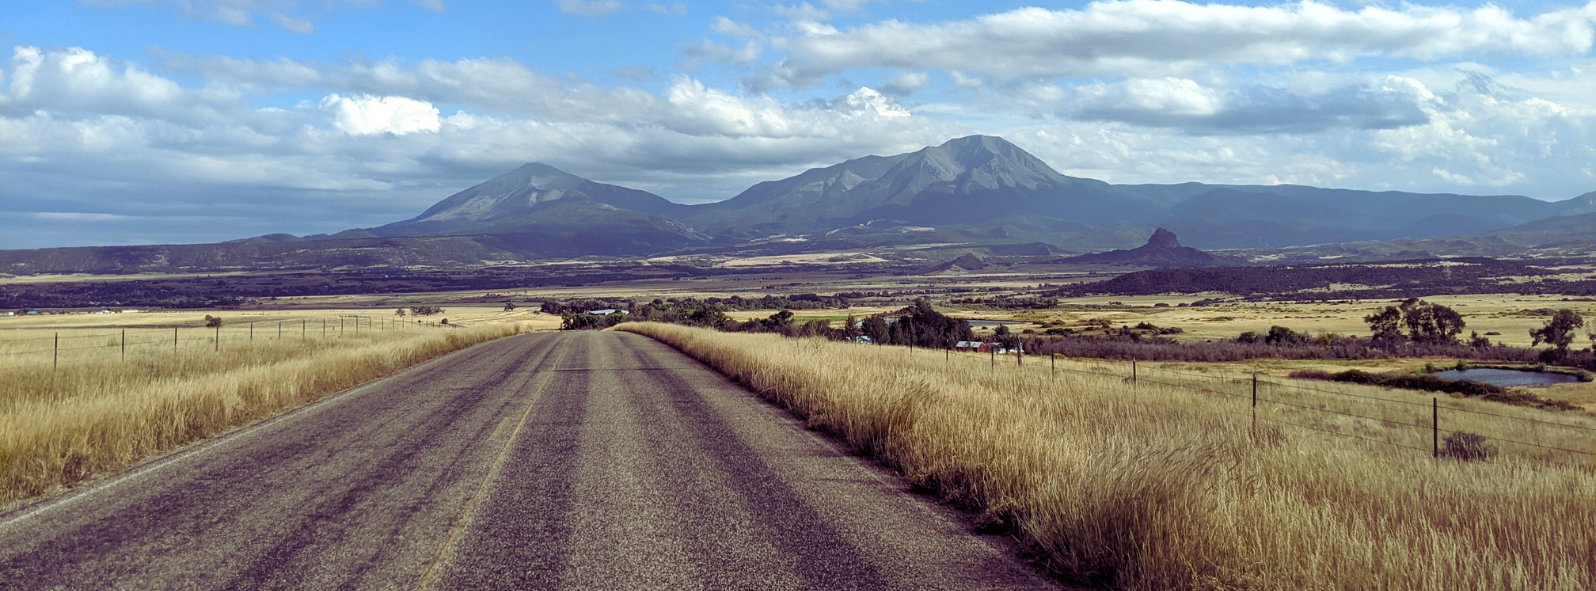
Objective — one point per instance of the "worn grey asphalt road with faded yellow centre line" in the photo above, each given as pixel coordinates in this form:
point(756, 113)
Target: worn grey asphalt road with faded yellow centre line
point(577, 461)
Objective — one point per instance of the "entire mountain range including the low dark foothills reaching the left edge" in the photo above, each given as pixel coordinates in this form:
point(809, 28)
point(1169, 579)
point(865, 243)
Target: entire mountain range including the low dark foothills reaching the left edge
point(970, 191)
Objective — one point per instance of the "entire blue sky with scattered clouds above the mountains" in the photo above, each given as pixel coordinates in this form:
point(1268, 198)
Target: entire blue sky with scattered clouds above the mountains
point(130, 122)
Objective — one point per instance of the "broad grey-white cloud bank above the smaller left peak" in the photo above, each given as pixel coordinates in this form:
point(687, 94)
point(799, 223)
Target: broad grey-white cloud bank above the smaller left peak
point(89, 135)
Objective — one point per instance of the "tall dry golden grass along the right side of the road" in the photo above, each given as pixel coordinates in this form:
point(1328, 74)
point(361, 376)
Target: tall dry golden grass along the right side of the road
point(1145, 486)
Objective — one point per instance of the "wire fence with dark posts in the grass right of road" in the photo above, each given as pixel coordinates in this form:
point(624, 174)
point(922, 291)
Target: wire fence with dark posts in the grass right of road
point(1442, 424)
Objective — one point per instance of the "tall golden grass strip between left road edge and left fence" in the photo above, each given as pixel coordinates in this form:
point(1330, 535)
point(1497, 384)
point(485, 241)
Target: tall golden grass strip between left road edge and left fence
point(93, 416)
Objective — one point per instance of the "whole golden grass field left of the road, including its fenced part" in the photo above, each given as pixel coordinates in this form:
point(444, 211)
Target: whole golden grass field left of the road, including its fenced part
point(100, 408)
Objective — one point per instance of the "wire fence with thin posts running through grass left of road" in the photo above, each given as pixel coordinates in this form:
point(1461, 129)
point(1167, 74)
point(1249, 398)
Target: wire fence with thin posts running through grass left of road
point(69, 346)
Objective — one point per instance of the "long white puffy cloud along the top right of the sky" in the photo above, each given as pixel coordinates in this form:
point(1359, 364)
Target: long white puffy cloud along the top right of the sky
point(1142, 38)
